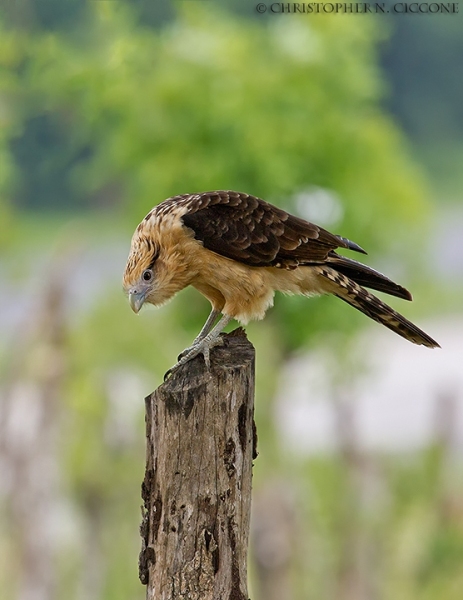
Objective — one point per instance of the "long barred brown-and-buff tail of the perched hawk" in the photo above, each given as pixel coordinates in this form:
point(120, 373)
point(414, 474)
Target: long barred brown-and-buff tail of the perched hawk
point(357, 296)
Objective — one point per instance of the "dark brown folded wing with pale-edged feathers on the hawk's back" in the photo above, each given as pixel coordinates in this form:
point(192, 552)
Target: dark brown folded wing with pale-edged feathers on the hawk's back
point(251, 231)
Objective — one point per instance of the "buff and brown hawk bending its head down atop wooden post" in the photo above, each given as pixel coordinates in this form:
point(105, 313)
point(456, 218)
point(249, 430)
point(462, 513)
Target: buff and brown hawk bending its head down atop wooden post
point(237, 250)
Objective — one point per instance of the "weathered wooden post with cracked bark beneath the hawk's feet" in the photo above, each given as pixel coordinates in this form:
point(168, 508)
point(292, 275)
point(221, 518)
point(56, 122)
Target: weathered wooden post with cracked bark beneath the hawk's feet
point(201, 442)
